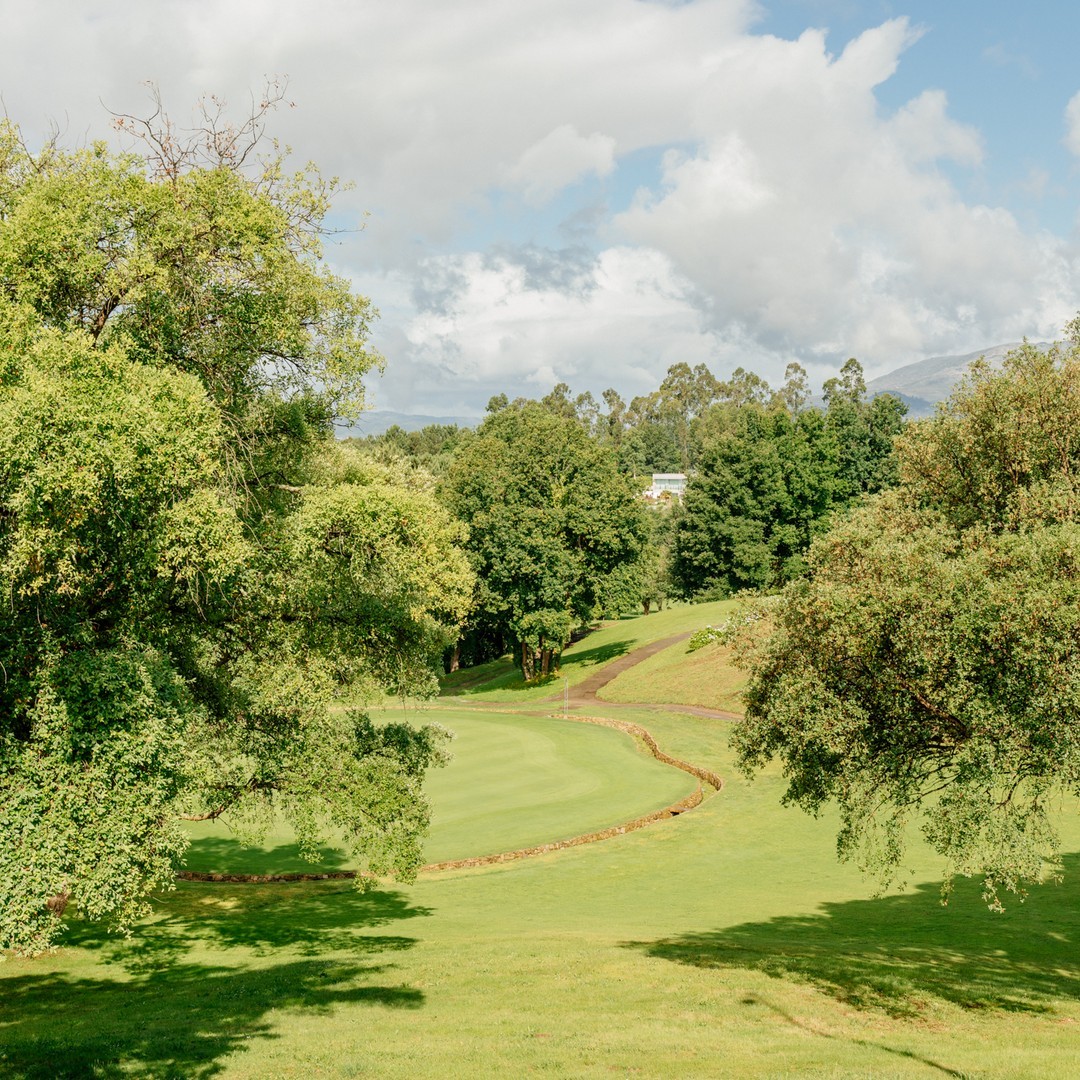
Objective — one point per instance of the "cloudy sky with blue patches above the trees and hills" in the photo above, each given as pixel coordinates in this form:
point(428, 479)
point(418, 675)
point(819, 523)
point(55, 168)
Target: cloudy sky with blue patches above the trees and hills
point(590, 192)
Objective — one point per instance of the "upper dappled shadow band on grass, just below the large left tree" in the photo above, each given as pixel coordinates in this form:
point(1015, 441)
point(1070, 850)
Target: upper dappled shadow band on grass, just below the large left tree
point(310, 920)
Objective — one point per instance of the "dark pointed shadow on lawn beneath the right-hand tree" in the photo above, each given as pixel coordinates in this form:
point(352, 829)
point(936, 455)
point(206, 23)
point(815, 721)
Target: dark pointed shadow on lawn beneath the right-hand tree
point(901, 953)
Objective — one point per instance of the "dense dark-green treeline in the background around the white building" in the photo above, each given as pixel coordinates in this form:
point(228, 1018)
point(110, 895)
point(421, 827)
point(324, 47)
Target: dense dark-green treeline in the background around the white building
point(560, 534)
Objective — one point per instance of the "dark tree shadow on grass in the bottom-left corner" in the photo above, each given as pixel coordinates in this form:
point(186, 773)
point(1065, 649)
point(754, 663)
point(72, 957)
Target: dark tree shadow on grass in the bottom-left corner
point(179, 1022)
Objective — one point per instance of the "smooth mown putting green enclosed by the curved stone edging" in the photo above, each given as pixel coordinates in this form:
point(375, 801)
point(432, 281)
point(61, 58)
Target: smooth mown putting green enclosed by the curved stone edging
point(515, 782)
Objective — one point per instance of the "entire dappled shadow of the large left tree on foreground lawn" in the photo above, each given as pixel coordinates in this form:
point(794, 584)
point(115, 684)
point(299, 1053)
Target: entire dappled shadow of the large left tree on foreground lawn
point(167, 1015)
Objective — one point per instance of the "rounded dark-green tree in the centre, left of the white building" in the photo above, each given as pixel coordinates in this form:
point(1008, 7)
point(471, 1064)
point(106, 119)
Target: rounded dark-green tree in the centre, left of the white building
point(550, 522)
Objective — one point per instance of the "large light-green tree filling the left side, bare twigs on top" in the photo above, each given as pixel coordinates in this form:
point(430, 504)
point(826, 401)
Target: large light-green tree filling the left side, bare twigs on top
point(193, 571)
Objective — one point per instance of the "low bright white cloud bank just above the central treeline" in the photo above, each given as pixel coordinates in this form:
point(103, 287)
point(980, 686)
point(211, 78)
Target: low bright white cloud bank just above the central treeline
point(483, 326)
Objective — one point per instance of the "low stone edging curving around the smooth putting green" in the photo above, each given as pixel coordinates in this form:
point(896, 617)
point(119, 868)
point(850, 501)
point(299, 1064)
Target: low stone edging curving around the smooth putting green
point(636, 731)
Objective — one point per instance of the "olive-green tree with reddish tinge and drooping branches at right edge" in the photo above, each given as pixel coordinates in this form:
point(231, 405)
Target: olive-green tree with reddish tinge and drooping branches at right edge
point(929, 667)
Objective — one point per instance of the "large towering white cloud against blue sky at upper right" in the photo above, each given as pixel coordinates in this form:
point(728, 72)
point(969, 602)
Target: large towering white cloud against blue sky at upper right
point(827, 228)
